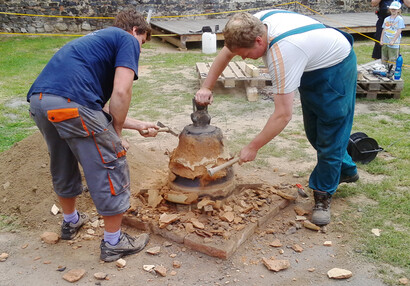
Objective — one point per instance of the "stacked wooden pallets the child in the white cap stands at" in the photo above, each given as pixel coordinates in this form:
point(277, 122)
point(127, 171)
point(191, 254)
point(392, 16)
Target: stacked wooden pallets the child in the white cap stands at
point(371, 86)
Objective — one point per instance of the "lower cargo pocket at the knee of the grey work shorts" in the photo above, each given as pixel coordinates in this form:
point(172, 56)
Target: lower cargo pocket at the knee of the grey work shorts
point(118, 176)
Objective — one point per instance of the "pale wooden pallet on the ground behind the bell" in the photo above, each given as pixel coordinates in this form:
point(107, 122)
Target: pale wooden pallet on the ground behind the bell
point(236, 72)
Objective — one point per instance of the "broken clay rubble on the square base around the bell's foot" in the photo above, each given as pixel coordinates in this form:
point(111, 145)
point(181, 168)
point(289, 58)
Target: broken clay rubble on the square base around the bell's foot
point(211, 226)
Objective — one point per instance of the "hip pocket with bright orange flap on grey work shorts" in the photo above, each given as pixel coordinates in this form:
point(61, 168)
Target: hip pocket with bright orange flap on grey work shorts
point(68, 122)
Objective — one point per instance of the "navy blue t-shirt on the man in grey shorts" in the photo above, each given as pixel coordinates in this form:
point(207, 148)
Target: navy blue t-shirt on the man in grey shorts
point(83, 70)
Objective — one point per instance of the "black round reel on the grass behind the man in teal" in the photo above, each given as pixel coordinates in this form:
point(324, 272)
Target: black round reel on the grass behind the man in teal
point(362, 148)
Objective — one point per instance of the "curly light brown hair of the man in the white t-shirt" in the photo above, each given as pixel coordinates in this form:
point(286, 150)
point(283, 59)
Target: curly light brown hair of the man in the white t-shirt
point(242, 30)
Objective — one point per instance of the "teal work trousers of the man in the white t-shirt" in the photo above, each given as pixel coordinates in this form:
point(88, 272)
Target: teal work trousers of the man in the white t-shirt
point(328, 97)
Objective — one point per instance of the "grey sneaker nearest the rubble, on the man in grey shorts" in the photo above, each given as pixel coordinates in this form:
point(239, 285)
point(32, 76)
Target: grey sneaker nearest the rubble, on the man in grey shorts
point(126, 246)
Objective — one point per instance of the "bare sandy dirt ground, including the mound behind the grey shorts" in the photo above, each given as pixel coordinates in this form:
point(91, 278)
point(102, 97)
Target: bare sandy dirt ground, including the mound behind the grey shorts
point(27, 197)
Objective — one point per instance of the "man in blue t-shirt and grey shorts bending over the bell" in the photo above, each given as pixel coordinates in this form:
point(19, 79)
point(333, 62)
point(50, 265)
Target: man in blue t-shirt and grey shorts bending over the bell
point(80, 103)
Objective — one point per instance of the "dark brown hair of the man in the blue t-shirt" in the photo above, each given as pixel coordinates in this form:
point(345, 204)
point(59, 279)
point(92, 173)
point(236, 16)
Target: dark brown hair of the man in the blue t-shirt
point(130, 18)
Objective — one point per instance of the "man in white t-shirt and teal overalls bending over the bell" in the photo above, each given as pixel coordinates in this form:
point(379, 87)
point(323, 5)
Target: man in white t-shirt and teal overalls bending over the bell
point(300, 53)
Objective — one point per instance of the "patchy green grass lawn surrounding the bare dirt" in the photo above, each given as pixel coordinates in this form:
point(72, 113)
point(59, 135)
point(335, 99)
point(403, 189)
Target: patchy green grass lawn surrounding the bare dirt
point(24, 57)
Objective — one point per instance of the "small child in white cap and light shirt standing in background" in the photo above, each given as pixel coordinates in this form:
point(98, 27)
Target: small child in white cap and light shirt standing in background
point(391, 35)
